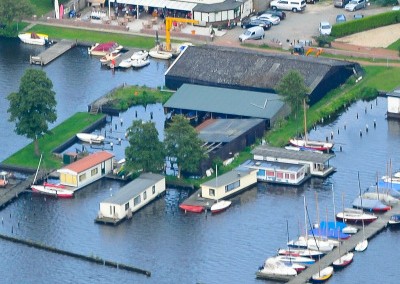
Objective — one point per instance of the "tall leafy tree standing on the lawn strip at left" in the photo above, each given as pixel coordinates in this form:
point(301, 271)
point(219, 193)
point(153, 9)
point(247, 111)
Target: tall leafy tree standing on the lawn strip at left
point(33, 106)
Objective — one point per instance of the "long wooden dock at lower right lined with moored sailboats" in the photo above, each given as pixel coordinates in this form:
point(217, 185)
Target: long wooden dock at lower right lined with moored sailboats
point(348, 245)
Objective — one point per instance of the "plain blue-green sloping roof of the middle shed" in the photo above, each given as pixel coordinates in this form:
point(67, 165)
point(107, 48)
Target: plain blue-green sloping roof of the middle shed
point(226, 101)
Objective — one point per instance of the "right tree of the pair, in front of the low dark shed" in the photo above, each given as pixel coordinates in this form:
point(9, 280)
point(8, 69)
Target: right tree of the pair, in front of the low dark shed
point(182, 142)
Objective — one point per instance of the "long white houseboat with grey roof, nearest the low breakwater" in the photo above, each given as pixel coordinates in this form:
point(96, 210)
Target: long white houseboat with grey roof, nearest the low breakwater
point(131, 198)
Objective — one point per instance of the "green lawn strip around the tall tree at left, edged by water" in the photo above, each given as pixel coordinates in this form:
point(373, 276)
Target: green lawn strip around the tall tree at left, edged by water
point(26, 156)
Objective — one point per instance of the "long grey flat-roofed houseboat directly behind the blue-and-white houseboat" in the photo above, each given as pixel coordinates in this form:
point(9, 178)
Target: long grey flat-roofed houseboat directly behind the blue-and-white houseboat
point(317, 163)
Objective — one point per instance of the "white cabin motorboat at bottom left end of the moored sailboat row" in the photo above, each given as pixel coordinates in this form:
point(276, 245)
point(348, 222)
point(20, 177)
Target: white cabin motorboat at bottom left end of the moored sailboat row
point(276, 270)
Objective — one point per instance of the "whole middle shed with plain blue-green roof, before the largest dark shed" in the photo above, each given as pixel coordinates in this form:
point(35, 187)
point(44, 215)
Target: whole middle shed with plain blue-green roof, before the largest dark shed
point(203, 102)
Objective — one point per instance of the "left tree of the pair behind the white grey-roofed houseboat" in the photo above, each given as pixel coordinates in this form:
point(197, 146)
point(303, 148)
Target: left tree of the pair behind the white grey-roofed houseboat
point(145, 152)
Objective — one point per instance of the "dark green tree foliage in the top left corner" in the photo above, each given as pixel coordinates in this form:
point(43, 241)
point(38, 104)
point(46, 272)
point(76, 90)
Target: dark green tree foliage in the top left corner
point(11, 10)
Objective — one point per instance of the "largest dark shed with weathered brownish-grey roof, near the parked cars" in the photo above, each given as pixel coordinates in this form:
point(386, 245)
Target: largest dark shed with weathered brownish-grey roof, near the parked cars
point(255, 70)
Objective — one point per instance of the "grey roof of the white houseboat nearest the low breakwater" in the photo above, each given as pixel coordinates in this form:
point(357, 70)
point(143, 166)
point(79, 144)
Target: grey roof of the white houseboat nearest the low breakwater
point(134, 188)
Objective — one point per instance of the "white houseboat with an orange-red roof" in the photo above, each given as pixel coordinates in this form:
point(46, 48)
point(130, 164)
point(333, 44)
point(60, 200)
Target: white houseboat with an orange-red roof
point(86, 170)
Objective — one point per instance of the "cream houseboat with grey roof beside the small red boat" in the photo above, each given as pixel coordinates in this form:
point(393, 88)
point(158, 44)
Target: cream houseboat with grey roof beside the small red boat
point(229, 183)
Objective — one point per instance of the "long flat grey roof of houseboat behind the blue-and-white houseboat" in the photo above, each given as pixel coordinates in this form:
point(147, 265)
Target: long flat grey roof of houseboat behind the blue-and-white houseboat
point(274, 152)
